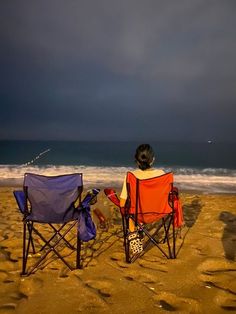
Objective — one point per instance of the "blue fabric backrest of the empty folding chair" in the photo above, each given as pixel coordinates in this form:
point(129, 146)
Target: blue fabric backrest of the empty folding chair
point(52, 197)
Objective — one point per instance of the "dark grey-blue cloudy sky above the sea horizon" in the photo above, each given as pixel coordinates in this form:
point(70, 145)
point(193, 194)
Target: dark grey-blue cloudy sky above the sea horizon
point(118, 69)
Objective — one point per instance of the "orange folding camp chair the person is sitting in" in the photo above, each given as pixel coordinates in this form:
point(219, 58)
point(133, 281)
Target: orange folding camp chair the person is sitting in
point(154, 208)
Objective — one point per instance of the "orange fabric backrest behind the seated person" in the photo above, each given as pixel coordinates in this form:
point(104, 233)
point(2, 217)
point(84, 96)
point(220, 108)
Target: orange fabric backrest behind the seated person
point(148, 199)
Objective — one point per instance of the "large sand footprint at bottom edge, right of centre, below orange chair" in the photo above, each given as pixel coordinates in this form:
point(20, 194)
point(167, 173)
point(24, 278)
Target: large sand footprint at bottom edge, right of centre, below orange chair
point(172, 303)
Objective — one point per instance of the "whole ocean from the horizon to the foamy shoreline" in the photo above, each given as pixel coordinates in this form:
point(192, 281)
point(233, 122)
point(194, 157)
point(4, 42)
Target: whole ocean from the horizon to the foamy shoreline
point(199, 167)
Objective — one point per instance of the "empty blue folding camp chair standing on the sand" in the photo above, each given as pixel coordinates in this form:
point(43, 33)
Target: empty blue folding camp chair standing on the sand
point(51, 208)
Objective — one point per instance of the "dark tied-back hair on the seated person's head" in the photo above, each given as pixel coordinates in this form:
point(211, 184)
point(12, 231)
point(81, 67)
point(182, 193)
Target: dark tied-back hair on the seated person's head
point(144, 156)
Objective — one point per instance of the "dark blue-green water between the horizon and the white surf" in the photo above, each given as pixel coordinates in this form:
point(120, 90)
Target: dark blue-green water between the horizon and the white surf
point(195, 155)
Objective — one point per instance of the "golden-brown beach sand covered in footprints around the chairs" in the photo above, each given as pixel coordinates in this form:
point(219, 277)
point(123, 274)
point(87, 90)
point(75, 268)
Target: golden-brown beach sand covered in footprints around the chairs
point(202, 279)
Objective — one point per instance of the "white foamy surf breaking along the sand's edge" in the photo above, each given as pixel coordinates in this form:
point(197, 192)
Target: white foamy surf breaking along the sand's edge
point(204, 180)
